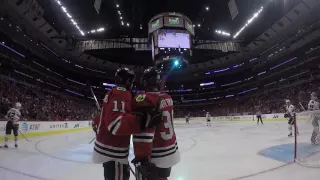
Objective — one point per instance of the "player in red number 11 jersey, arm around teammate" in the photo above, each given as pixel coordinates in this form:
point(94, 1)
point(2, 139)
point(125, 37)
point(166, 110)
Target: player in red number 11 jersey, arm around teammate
point(115, 128)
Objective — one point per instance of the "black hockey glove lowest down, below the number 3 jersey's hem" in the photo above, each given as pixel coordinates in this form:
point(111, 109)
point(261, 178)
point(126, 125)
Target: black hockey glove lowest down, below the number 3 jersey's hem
point(148, 170)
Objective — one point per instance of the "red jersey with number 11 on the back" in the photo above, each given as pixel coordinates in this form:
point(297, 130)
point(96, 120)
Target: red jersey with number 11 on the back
point(115, 127)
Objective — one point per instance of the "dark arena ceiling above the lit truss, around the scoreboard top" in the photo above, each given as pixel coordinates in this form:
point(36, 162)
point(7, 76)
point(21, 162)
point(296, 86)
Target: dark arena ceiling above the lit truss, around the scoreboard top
point(138, 12)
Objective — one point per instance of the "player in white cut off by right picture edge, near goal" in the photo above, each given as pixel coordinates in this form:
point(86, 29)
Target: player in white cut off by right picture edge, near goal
point(314, 118)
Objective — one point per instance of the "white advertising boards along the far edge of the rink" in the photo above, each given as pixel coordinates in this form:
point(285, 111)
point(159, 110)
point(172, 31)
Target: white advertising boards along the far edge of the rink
point(44, 128)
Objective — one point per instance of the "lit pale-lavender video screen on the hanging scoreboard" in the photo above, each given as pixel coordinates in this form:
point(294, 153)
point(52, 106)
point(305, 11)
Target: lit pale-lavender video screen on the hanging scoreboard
point(172, 39)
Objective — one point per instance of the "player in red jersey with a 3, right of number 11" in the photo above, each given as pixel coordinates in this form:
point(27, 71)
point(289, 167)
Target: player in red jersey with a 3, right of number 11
point(156, 148)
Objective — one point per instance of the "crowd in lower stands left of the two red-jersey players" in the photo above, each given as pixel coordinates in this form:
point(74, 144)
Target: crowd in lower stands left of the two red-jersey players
point(41, 105)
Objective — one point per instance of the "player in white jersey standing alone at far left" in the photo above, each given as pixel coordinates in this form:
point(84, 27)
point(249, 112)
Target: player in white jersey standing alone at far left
point(13, 116)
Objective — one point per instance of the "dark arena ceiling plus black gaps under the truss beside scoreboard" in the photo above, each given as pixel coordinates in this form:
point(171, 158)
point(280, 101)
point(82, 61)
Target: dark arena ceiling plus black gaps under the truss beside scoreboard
point(206, 15)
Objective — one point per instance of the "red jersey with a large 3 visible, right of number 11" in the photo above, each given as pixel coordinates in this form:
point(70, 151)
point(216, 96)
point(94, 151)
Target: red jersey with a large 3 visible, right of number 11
point(157, 144)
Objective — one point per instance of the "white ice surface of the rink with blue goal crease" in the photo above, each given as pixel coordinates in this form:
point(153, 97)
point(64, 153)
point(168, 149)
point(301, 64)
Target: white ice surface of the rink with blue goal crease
point(224, 151)
